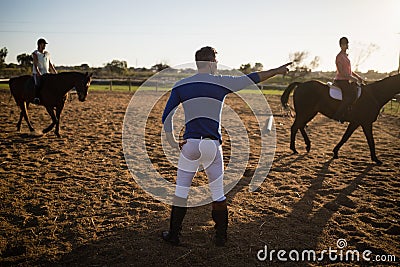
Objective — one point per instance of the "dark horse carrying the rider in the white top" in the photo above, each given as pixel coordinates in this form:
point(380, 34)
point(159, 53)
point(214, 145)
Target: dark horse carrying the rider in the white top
point(53, 94)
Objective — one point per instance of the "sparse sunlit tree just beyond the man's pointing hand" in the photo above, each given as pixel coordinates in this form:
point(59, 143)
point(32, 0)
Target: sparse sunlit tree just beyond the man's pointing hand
point(301, 68)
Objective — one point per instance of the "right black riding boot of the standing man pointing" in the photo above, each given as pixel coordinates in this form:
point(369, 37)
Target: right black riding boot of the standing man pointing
point(220, 217)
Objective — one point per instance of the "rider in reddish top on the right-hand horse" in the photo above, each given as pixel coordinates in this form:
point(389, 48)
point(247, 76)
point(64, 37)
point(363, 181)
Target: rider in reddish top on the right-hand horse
point(344, 76)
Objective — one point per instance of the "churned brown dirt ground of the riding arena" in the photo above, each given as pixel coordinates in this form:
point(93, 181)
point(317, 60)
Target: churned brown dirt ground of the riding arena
point(71, 201)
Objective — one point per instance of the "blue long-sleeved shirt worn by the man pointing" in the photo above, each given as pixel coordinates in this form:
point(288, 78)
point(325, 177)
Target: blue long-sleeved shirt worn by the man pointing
point(202, 96)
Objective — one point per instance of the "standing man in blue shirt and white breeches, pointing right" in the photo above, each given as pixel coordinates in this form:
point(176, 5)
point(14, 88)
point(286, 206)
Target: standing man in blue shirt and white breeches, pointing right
point(202, 96)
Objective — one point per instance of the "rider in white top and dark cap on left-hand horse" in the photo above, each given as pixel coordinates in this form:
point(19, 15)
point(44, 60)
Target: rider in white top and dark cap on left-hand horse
point(41, 65)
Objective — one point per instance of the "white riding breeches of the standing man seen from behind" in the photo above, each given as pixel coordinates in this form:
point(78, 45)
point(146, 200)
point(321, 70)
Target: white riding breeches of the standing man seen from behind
point(205, 152)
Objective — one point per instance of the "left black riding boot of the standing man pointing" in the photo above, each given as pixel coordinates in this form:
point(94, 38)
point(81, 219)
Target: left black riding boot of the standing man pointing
point(175, 226)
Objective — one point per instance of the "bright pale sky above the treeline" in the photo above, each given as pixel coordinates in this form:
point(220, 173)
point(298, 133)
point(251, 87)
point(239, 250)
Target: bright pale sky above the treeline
point(145, 33)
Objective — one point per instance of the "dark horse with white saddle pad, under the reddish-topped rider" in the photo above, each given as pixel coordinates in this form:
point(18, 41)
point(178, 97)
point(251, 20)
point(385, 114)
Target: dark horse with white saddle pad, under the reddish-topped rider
point(312, 97)
